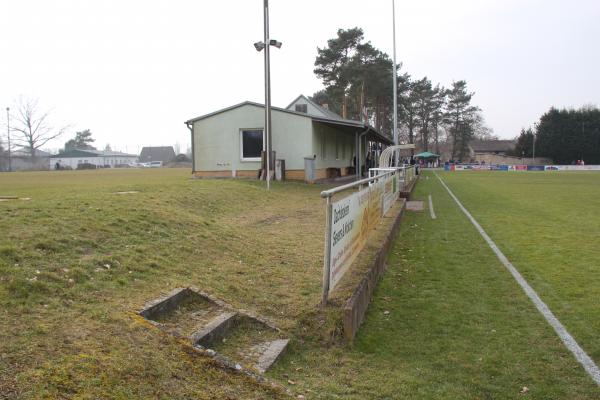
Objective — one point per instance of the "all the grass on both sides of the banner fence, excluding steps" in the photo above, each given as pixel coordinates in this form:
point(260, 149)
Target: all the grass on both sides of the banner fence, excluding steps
point(77, 260)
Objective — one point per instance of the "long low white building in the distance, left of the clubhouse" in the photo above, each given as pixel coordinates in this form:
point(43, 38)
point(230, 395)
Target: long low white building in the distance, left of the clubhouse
point(103, 159)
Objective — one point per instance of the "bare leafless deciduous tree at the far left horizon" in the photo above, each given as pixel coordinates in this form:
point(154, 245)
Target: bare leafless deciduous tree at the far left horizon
point(32, 126)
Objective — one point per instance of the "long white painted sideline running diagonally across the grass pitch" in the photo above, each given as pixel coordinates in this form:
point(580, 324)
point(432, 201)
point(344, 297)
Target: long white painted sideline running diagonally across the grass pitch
point(588, 364)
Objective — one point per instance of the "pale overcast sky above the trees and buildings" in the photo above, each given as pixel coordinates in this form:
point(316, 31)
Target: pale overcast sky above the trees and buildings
point(133, 71)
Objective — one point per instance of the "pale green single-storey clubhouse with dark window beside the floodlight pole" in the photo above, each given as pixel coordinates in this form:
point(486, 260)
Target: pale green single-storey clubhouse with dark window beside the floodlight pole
point(314, 142)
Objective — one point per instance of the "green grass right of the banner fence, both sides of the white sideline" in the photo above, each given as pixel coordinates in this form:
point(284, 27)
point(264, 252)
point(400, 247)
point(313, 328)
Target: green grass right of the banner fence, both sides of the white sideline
point(457, 325)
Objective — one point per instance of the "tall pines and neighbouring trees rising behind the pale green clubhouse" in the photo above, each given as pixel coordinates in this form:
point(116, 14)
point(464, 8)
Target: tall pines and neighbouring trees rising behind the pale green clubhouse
point(357, 79)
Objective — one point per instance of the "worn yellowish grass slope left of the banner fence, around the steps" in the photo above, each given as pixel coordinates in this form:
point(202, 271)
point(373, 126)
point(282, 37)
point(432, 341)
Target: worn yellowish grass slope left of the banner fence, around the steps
point(77, 260)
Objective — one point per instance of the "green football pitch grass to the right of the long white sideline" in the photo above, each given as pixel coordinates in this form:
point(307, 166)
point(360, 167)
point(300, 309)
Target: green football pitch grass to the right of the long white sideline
point(548, 226)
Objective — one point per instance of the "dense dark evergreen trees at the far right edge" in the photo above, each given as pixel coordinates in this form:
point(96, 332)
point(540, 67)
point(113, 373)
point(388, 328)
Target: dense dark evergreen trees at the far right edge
point(563, 136)
